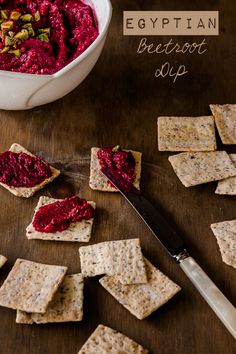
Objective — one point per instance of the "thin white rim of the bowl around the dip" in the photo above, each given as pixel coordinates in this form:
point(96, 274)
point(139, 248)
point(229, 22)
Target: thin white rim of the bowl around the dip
point(76, 61)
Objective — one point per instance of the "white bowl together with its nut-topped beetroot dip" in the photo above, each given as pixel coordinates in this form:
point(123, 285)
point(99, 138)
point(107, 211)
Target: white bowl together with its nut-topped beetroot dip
point(48, 47)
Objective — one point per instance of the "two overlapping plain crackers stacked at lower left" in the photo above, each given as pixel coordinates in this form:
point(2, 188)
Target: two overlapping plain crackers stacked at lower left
point(42, 293)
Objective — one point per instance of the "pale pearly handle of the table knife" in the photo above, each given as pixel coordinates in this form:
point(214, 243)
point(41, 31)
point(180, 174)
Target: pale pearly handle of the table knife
point(209, 291)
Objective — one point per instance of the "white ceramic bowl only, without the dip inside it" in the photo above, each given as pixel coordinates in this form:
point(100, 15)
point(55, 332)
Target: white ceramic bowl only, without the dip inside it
point(20, 91)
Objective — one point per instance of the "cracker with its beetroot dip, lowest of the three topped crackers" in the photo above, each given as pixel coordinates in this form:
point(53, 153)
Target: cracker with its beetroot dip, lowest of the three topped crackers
point(73, 231)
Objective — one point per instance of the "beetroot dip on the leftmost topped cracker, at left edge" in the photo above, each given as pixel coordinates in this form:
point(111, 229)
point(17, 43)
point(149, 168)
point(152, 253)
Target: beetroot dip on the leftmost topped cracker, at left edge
point(22, 170)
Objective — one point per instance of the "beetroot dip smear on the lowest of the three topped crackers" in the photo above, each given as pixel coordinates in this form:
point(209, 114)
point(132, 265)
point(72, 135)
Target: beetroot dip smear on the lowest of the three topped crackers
point(58, 216)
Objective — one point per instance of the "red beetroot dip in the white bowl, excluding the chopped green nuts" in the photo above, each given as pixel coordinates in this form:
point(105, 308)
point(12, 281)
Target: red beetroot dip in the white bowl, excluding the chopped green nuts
point(73, 28)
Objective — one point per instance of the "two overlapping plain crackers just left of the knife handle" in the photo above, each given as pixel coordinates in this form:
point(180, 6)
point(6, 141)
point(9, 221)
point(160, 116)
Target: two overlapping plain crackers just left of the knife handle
point(130, 278)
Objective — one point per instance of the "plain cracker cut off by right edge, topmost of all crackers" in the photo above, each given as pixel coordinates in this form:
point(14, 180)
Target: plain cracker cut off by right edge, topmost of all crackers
point(225, 118)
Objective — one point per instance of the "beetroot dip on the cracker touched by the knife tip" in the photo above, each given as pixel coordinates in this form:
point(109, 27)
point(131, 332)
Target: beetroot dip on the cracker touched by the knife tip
point(120, 165)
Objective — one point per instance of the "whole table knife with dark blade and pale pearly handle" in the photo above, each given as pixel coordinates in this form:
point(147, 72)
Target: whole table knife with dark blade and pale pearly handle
point(175, 246)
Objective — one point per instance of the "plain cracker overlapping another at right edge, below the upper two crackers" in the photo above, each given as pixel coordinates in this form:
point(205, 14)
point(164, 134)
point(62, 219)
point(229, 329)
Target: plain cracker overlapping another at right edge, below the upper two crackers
point(195, 168)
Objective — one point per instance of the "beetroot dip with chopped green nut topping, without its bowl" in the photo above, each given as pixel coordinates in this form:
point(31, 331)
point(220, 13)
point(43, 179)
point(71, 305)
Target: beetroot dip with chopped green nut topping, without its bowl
point(43, 36)
